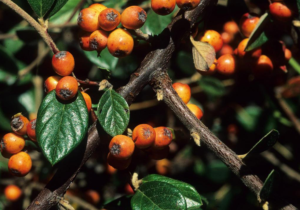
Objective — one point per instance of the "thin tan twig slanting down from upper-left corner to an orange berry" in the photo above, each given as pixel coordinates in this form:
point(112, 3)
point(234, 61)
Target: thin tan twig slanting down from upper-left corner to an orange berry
point(44, 34)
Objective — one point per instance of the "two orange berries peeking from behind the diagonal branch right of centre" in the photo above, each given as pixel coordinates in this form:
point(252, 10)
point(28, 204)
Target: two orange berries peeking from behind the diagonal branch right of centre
point(184, 92)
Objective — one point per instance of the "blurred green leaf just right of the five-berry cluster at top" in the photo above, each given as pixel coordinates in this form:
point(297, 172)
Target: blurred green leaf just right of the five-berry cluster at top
point(155, 23)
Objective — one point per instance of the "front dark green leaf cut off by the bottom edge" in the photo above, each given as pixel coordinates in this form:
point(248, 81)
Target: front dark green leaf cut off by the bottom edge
point(158, 195)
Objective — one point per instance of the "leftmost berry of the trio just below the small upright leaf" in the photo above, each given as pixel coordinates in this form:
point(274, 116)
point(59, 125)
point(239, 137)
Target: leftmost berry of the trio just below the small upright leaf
point(121, 147)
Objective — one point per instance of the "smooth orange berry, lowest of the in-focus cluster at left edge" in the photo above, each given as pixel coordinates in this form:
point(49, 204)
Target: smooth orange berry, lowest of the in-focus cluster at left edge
point(19, 164)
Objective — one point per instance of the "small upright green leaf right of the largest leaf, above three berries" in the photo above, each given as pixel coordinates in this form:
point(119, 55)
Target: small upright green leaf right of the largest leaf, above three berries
point(113, 113)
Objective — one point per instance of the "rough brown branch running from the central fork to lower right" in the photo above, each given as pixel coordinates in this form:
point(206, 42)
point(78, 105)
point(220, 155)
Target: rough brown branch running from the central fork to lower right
point(161, 81)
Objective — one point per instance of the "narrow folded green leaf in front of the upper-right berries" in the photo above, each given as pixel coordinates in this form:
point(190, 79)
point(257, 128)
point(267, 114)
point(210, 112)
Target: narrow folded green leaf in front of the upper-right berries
point(258, 36)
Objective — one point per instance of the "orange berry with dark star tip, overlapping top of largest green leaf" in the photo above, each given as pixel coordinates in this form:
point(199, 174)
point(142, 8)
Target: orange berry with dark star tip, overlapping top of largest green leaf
point(67, 88)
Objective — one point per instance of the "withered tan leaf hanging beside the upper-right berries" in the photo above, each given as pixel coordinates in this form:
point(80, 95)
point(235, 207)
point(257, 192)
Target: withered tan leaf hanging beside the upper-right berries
point(203, 54)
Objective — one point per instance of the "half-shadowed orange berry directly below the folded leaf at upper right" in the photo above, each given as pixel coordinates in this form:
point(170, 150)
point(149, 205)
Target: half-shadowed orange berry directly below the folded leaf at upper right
point(263, 66)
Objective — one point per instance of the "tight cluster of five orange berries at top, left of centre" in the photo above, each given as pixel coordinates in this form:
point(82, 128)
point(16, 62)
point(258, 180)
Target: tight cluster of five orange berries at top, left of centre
point(97, 21)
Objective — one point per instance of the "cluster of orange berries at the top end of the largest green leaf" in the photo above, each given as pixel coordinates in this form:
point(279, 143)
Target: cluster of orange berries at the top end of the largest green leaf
point(66, 86)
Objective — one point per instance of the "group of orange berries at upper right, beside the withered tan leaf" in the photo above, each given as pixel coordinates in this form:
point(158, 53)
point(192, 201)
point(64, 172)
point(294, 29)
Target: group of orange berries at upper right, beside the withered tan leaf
point(226, 63)
